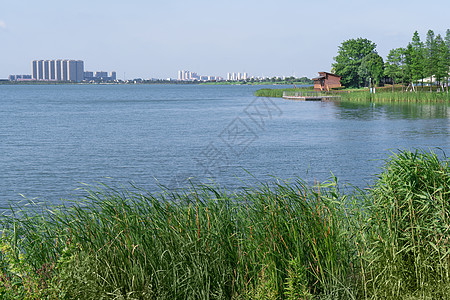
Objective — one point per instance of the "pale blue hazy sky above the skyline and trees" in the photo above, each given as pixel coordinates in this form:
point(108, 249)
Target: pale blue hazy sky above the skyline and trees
point(155, 39)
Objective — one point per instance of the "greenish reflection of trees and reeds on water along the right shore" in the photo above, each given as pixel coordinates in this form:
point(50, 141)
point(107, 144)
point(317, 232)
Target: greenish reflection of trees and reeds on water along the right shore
point(374, 111)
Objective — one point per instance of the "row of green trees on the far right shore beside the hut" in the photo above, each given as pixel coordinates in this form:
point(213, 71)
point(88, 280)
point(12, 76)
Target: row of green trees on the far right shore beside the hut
point(359, 64)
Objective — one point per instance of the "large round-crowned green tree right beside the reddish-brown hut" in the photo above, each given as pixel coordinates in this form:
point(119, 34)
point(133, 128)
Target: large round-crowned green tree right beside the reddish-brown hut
point(349, 58)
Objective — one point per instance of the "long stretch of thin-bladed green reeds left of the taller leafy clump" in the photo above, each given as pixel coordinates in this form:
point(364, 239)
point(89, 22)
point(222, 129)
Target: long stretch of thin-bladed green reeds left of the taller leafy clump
point(198, 244)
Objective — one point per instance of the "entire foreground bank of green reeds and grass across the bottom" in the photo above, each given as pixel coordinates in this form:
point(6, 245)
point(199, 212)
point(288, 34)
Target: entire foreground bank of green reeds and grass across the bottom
point(275, 241)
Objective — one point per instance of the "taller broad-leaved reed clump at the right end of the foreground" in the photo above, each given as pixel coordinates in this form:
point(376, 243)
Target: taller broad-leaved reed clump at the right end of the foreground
point(409, 228)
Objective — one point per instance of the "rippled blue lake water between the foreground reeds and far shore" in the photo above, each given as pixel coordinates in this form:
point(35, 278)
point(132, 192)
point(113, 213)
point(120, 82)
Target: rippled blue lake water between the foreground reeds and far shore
point(53, 138)
